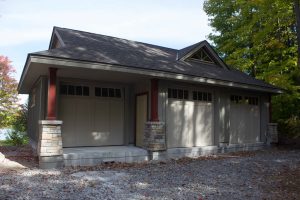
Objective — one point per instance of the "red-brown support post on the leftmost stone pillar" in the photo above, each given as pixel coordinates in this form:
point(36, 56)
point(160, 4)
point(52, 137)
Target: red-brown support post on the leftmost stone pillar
point(51, 109)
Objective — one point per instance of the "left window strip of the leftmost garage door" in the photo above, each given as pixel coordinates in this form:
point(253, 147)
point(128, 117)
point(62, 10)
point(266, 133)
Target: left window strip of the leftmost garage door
point(74, 90)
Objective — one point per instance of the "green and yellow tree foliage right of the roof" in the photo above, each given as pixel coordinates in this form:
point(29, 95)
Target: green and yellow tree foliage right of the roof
point(259, 37)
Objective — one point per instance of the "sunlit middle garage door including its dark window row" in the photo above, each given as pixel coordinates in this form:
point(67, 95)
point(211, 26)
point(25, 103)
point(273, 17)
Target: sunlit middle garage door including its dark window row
point(189, 118)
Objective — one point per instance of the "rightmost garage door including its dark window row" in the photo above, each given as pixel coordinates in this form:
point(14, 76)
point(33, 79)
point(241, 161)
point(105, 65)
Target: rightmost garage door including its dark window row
point(244, 119)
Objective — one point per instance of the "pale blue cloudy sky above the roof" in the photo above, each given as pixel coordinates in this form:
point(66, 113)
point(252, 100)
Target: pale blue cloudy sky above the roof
point(26, 26)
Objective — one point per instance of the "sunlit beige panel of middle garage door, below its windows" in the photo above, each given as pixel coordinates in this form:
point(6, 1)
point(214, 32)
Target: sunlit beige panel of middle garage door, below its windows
point(189, 124)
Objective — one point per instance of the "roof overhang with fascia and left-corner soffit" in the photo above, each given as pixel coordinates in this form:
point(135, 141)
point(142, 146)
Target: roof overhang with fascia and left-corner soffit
point(33, 70)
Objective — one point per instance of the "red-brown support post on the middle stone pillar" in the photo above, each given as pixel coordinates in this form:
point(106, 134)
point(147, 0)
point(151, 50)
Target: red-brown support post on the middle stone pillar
point(154, 100)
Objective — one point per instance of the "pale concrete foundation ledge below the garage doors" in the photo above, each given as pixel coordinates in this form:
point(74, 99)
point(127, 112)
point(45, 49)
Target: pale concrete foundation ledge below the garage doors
point(90, 156)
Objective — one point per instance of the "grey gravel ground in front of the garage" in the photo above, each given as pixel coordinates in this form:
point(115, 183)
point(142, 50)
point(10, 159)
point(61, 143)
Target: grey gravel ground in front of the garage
point(267, 174)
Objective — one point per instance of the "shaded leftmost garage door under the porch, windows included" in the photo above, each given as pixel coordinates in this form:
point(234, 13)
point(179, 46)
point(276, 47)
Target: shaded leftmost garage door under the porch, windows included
point(92, 116)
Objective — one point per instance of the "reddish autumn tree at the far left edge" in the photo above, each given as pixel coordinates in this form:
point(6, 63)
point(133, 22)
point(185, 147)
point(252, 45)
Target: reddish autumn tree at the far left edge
point(8, 92)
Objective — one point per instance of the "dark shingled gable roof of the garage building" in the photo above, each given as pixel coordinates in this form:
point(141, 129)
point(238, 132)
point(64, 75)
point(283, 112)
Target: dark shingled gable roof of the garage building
point(90, 47)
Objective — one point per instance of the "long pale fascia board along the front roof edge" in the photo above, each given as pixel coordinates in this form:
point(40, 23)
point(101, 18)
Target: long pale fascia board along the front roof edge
point(149, 72)
